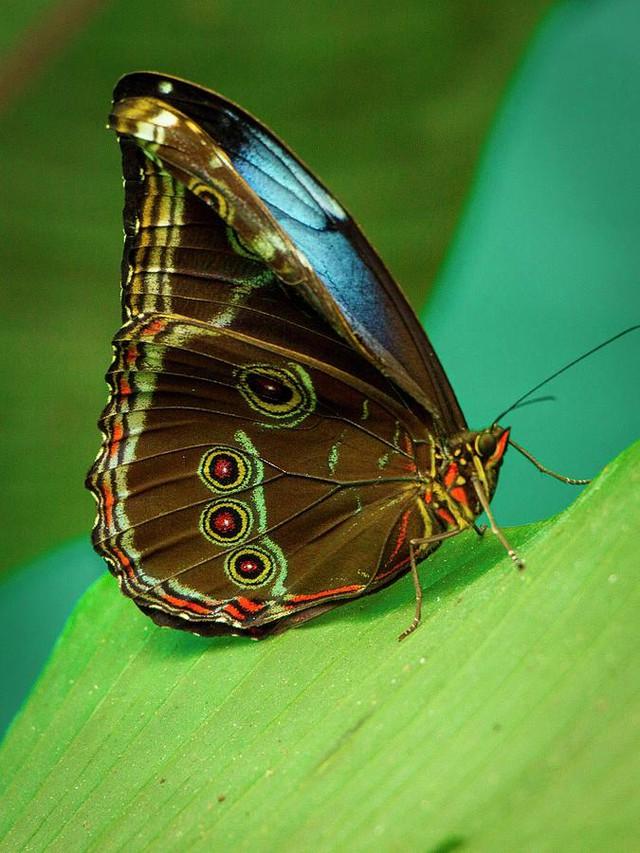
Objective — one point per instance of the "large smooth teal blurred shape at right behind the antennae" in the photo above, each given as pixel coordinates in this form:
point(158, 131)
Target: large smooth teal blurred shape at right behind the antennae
point(546, 260)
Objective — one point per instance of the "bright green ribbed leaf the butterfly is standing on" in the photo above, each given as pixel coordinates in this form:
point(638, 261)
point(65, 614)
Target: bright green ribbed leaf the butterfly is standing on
point(503, 723)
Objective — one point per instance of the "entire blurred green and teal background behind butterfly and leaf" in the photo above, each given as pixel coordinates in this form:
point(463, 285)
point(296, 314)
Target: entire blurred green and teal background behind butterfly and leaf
point(391, 106)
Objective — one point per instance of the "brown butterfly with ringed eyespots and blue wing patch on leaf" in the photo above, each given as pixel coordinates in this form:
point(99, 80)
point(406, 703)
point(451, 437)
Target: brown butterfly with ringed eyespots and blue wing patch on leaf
point(280, 436)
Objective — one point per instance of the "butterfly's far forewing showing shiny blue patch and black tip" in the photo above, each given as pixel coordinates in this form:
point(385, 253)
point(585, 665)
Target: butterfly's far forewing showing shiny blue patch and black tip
point(350, 285)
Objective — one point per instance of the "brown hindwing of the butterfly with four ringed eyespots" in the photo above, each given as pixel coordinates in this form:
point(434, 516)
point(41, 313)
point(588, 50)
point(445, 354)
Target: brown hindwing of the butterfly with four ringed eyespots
point(229, 471)
